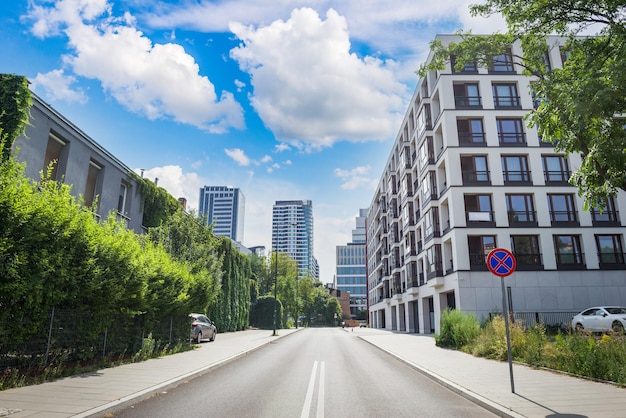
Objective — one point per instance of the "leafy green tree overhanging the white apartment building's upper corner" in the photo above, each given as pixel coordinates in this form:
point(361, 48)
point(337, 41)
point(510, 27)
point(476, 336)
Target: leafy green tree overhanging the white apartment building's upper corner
point(583, 103)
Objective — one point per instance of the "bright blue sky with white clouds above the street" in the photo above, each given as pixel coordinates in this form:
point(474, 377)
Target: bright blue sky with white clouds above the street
point(283, 99)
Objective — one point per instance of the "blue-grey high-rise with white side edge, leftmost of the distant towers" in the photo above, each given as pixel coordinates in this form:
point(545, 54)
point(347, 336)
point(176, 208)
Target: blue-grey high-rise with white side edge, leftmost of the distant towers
point(224, 208)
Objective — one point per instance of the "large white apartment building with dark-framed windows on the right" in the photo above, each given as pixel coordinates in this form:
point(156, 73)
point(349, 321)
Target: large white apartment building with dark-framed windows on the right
point(466, 175)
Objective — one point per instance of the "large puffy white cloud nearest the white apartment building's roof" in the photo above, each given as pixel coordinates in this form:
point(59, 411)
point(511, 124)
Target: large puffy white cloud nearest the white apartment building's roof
point(309, 89)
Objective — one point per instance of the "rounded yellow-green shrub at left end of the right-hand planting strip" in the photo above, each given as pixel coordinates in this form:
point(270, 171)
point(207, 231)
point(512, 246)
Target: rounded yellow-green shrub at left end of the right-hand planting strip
point(457, 329)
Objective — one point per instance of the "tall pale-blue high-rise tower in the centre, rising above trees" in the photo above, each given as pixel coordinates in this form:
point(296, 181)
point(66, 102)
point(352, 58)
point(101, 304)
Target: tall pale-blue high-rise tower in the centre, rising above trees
point(292, 233)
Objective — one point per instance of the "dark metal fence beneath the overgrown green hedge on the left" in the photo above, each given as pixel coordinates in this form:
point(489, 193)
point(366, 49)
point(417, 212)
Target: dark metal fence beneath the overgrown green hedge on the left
point(68, 336)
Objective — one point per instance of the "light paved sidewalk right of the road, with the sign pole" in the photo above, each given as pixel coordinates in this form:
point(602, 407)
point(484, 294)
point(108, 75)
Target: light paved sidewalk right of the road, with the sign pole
point(538, 393)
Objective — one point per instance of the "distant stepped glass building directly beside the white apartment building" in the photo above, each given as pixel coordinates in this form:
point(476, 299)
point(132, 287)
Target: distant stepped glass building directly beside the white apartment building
point(350, 268)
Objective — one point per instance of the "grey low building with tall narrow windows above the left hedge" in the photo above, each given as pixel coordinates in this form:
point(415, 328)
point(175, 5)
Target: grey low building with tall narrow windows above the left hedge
point(106, 185)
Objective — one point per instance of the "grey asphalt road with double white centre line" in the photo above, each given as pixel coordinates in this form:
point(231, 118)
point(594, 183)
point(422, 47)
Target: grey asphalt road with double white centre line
point(318, 372)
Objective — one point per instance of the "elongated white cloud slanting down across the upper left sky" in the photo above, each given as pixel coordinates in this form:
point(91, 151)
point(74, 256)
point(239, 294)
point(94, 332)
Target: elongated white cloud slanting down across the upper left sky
point(155, 80)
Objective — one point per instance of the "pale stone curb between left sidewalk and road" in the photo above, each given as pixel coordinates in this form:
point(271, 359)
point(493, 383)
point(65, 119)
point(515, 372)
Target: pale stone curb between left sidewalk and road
point(145, 394)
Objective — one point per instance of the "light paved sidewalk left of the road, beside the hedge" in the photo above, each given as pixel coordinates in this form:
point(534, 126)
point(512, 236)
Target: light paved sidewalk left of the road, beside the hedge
point(95, 393)
